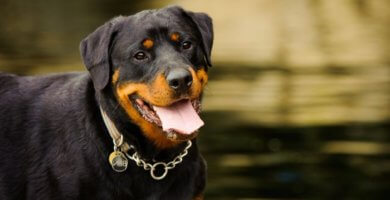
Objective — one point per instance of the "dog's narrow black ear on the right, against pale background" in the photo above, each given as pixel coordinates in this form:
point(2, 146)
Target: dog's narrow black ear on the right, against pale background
point(205, 26)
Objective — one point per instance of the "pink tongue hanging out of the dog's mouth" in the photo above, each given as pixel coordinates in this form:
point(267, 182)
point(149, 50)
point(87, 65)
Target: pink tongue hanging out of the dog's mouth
point(180, 117)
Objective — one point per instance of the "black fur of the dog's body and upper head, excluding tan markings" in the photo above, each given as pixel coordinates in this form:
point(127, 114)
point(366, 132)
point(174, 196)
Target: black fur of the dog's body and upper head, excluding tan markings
point(53, 142)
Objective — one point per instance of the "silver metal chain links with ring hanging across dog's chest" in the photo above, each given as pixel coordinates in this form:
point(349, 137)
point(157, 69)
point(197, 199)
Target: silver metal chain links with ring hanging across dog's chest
point(152, 167)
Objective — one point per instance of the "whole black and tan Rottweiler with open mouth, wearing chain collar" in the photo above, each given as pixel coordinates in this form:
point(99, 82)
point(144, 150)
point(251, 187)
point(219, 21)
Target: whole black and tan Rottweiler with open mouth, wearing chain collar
point(121, 131)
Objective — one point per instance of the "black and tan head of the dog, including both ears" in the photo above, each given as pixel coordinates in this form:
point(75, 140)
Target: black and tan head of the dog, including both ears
point(156, 63)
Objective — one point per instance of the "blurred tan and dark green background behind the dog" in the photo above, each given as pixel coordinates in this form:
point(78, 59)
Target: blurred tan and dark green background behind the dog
point(298, 106)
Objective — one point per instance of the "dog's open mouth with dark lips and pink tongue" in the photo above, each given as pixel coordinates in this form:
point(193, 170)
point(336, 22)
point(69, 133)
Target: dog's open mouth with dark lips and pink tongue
point(179, 118)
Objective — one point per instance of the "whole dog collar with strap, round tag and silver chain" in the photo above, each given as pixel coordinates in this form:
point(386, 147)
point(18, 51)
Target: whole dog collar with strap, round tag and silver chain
point(119, 162)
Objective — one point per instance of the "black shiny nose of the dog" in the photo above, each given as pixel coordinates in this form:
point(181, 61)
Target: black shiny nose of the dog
point(179, 79)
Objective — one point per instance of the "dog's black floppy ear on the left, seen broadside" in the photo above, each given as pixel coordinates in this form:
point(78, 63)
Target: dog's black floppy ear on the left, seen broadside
point(95, 52)
